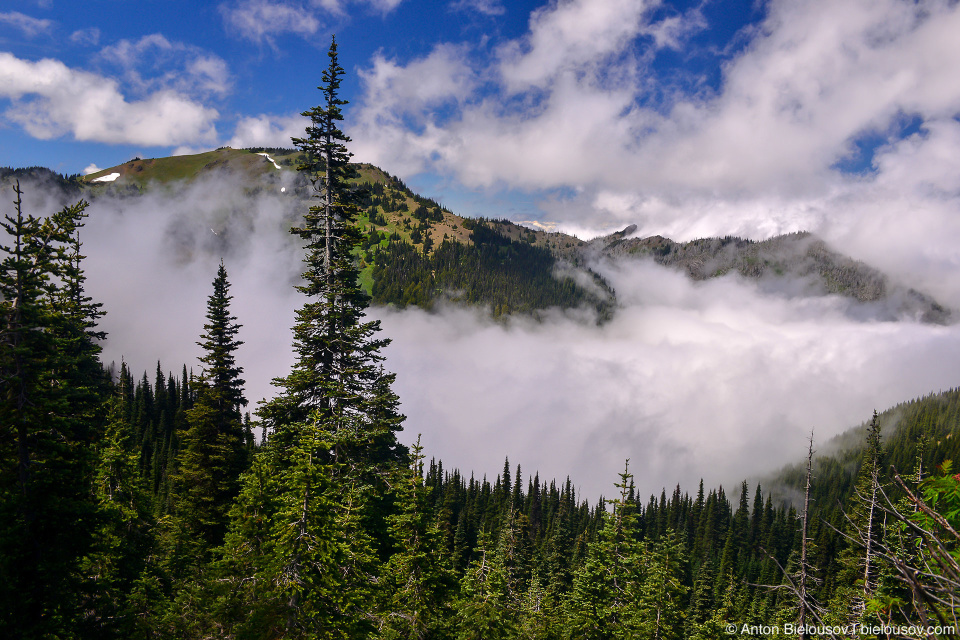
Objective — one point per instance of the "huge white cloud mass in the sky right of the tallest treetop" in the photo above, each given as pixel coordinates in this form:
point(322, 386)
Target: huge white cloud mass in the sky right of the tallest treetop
point(561, 109)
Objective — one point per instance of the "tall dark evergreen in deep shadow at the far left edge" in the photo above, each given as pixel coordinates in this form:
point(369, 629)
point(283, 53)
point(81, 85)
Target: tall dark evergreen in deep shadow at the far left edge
point(49, 375)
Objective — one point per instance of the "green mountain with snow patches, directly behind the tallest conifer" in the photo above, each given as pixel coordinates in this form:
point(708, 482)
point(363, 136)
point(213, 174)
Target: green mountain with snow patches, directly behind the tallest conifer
point(416, 252)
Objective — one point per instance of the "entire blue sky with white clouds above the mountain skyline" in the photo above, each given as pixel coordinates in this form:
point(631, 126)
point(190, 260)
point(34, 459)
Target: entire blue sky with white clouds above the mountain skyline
point(688, 118)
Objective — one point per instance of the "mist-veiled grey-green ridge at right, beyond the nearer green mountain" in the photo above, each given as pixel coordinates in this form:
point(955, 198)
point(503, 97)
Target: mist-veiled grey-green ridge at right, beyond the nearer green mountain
point(810, 266)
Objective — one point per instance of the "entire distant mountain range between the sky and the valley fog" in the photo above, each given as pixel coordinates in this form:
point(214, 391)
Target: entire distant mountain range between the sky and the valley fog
point(419, 253)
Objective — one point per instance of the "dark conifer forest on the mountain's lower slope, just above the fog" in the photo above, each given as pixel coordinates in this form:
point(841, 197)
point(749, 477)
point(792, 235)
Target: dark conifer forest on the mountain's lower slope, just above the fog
point(509, 276)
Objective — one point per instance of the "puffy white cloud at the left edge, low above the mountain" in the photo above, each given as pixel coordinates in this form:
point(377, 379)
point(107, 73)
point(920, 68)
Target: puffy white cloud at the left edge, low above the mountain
point(50, 99)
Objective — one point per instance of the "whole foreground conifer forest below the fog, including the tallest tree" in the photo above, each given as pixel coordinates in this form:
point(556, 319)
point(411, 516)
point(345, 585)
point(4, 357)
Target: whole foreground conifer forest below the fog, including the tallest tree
point(139, 508)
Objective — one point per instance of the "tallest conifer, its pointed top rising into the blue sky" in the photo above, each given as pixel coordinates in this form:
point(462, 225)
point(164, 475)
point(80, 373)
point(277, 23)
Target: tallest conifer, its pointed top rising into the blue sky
point(336, 349)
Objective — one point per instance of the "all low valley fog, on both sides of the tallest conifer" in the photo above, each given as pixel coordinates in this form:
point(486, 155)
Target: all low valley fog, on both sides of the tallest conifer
point(721, 379)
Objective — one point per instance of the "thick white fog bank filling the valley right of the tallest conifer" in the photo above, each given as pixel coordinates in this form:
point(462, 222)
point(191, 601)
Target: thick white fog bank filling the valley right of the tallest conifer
point(710, 380)
